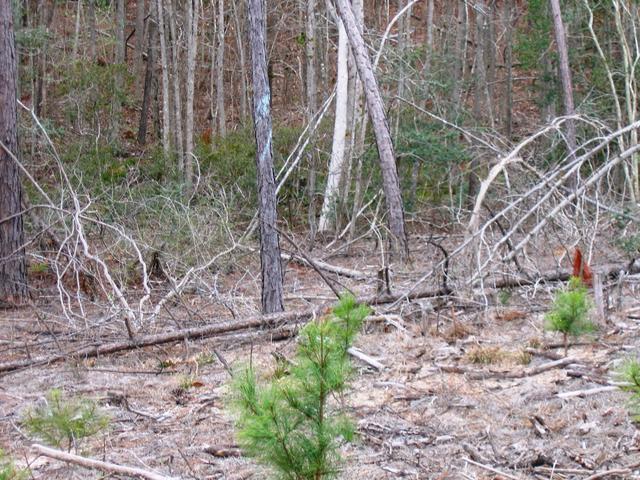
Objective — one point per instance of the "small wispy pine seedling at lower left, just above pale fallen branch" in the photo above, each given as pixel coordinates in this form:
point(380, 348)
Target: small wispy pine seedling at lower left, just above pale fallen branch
point(64, 421)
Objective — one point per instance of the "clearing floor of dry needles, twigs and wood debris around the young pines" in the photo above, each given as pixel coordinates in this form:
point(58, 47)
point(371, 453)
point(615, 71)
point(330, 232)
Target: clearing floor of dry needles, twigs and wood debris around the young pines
point(461, 395)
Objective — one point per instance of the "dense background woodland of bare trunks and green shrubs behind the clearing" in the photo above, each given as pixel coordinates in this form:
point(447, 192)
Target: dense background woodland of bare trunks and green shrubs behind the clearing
point(151, 100)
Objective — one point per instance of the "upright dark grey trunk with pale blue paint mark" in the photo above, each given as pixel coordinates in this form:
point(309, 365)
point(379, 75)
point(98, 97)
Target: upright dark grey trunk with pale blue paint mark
point(272, 290)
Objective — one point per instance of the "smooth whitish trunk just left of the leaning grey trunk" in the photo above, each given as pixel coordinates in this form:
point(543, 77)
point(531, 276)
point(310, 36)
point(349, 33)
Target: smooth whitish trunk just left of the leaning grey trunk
point(336, 165)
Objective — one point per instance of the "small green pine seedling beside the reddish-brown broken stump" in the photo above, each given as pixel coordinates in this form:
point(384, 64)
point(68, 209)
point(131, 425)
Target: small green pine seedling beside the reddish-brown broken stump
point(570, 312)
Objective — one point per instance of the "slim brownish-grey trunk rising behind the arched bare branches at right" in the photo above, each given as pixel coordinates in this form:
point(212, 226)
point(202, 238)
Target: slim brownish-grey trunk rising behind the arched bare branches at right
point(565, 77)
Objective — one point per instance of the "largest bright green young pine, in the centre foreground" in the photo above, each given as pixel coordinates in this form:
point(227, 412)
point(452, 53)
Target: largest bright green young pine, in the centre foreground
point(289, 423)
